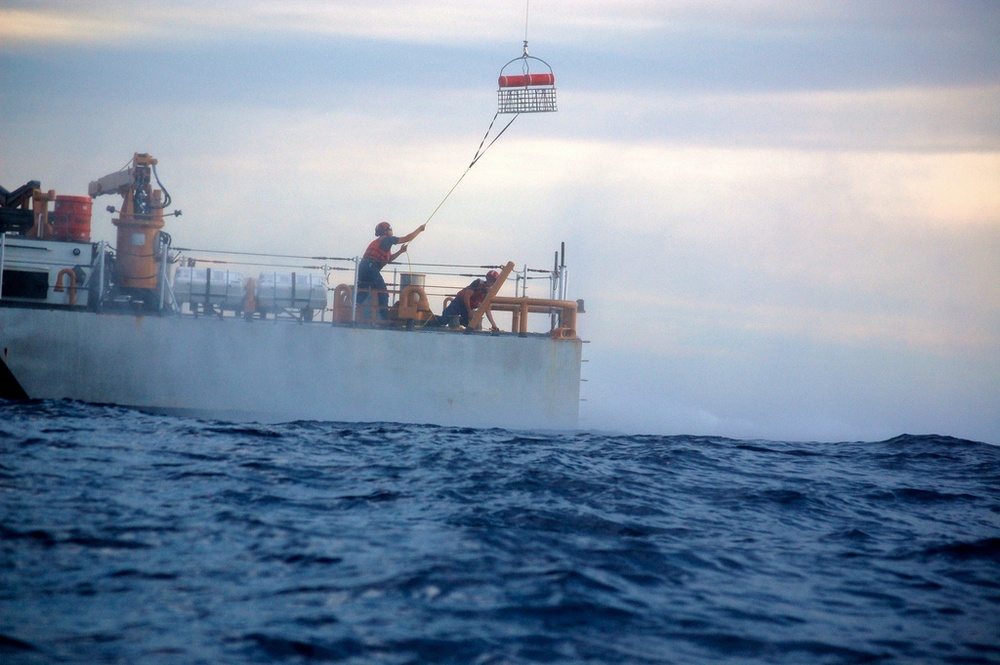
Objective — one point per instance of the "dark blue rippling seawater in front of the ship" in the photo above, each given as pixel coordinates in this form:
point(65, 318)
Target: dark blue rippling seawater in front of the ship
point(127, 537)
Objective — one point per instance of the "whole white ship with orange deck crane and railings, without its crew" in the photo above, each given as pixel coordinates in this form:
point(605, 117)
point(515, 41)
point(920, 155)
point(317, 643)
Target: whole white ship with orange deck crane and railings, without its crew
point(153, 326)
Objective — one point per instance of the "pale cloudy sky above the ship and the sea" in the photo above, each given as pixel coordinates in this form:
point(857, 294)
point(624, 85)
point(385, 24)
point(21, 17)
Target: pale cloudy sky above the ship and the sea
point(783, 215)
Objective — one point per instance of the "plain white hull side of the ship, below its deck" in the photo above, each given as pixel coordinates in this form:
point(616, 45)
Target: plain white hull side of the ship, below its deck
point(270, 370)
